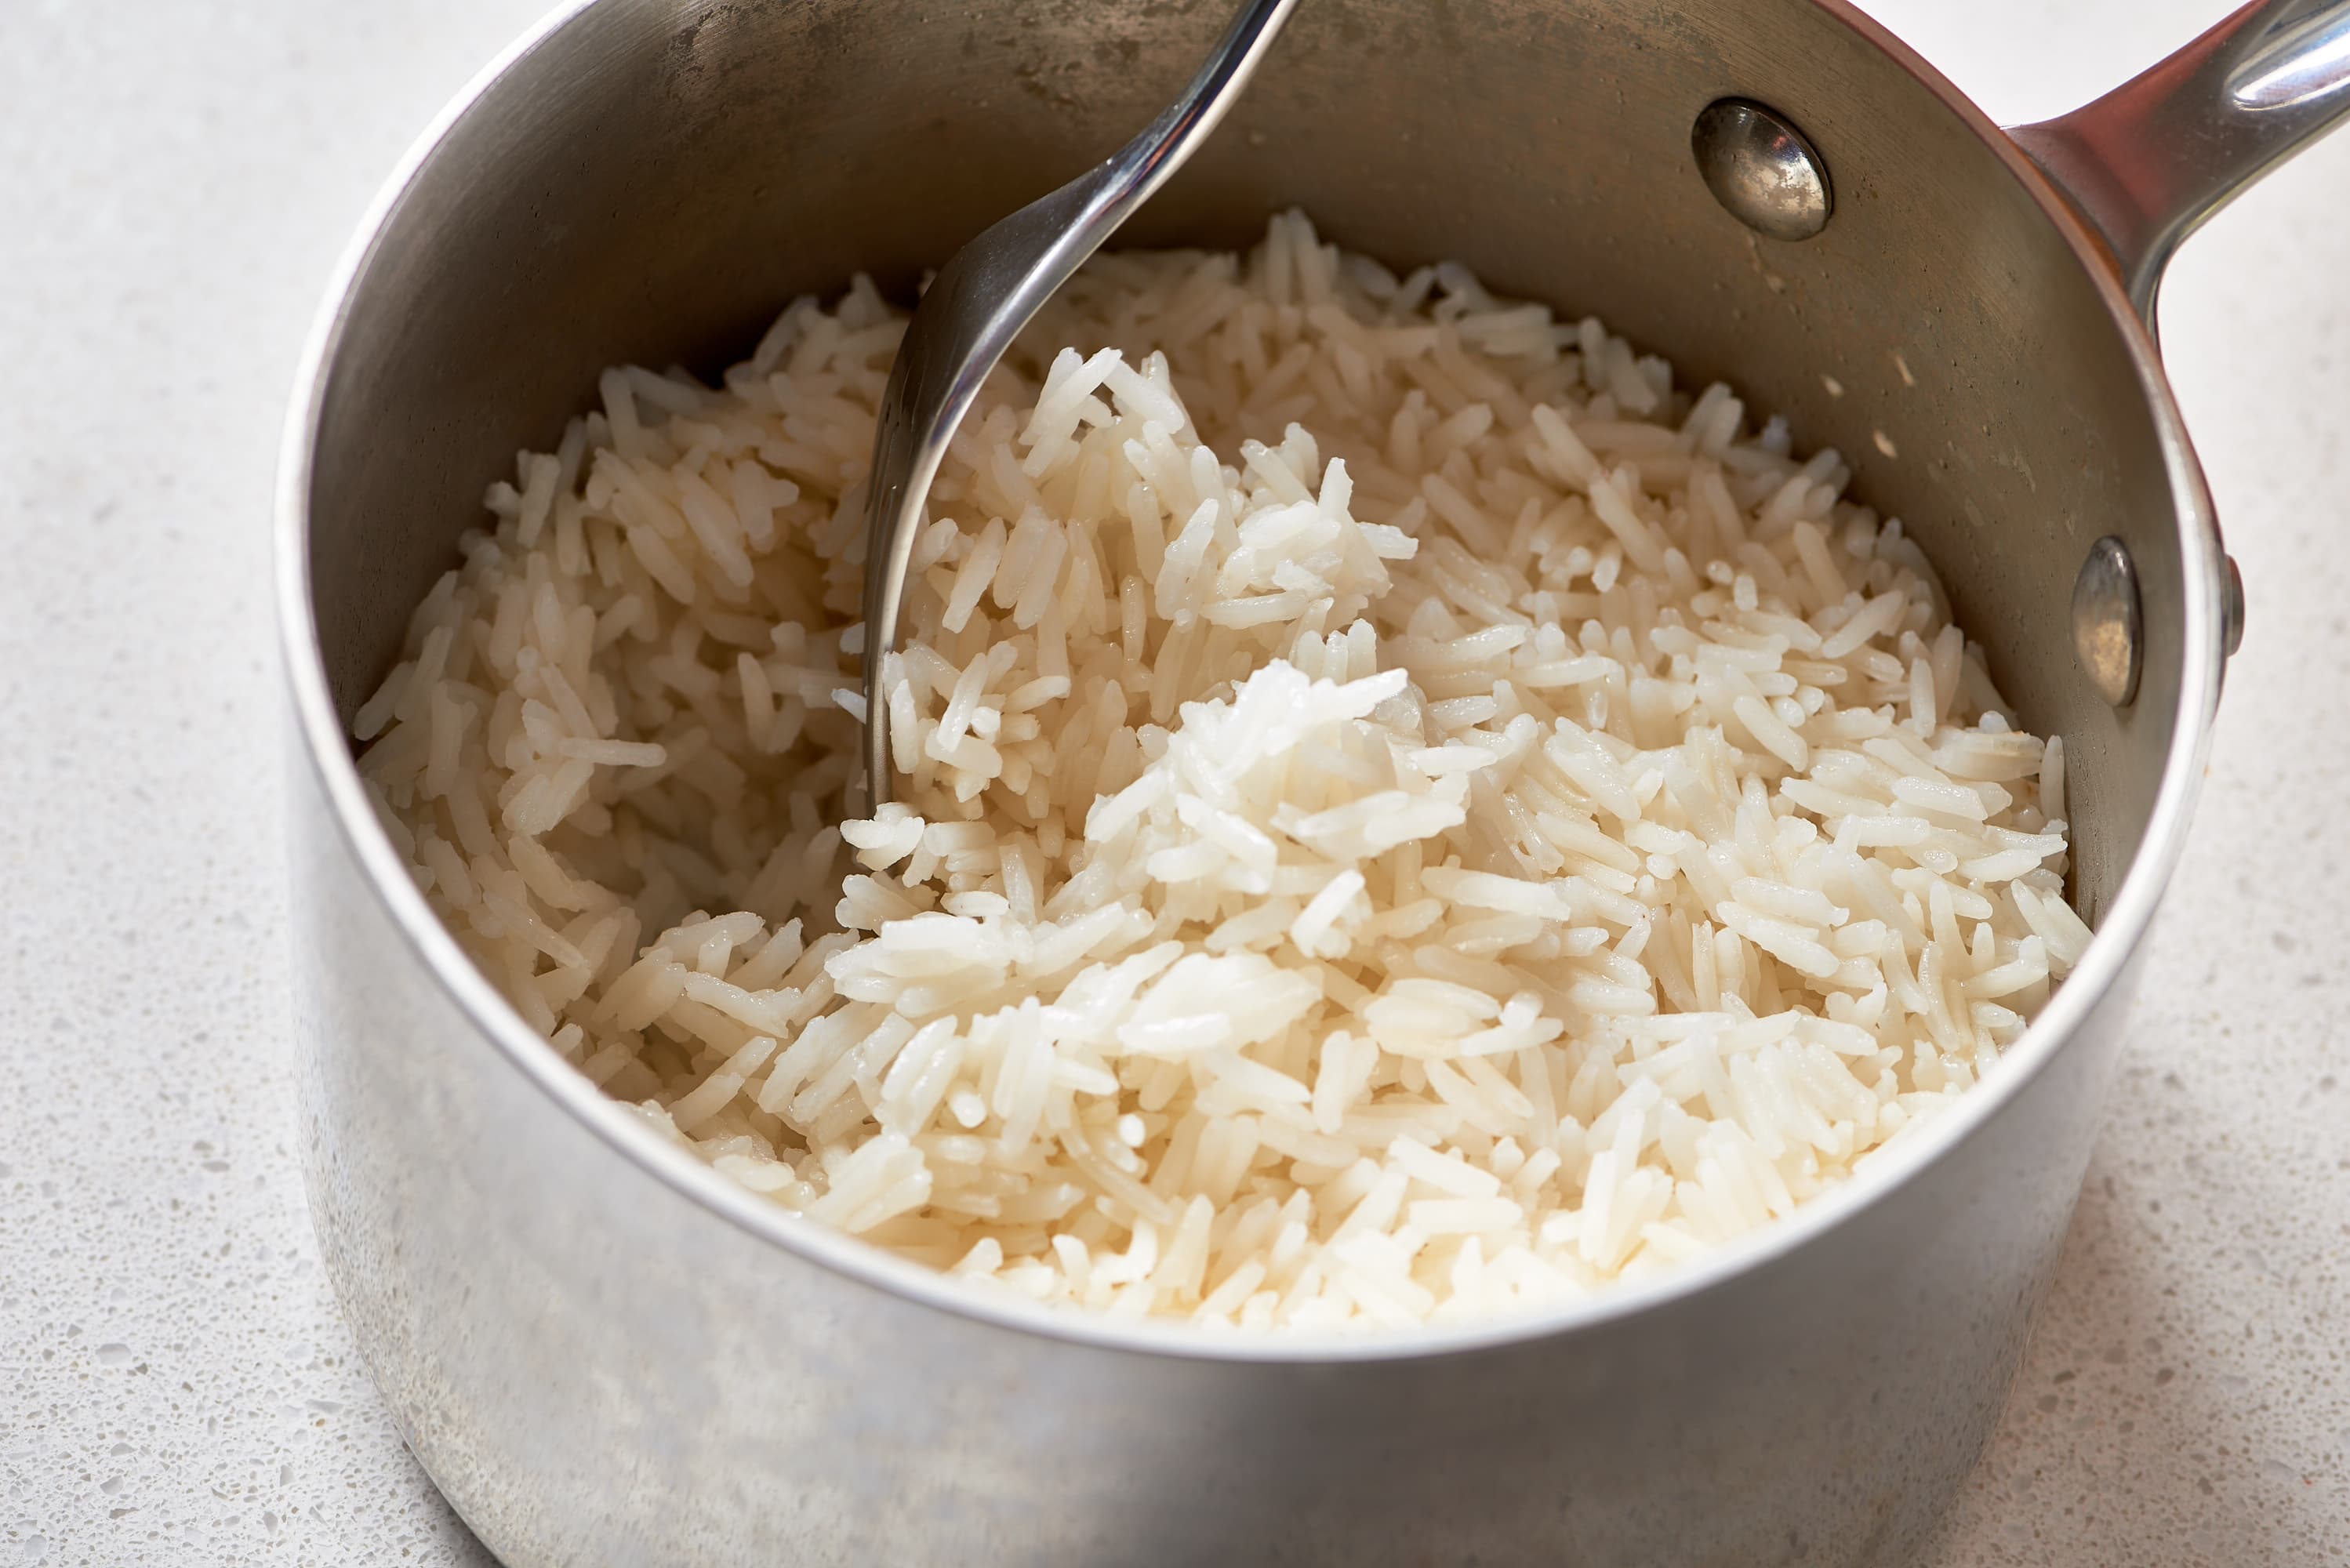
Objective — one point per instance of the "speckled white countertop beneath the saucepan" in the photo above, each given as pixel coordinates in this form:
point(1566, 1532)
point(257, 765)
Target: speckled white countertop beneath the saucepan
point(175, 1386)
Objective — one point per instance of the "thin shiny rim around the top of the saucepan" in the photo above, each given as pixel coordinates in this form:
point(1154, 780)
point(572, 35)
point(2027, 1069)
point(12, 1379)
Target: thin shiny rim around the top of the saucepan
point(328, 751)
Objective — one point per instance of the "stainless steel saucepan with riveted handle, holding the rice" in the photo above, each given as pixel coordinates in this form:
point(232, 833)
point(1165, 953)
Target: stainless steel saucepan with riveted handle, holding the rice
point(610, 1355)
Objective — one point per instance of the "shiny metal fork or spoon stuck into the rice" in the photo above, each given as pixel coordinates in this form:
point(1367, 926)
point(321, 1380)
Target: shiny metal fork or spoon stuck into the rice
point(981, 302)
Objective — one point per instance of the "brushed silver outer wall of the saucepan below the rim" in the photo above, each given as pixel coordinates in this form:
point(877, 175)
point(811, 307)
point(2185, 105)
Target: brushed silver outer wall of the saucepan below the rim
point(596, 1367)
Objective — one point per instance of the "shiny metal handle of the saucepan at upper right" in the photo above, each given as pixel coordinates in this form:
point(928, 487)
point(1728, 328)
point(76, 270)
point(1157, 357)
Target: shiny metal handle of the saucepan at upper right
point(2163, 152)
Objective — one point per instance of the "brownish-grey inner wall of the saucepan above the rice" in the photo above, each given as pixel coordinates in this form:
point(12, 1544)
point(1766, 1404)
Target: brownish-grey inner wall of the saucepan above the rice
point(657, 177)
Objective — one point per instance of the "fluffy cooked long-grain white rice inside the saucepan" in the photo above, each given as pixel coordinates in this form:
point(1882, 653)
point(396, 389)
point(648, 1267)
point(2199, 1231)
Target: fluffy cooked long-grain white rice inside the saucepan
point(1404, 810)
